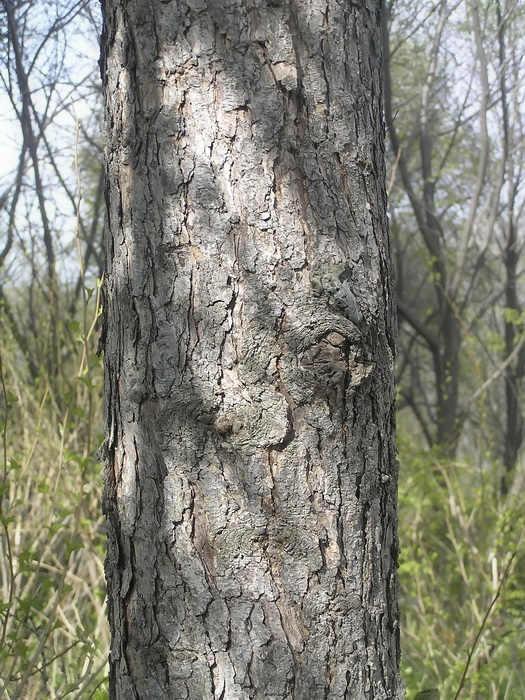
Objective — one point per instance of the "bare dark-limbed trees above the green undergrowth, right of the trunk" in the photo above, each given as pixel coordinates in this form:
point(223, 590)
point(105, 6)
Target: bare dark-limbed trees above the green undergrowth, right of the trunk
point(456, 192)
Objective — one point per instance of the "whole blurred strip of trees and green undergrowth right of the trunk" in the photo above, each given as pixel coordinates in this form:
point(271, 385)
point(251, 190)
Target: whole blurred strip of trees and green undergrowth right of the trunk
point(453, 83)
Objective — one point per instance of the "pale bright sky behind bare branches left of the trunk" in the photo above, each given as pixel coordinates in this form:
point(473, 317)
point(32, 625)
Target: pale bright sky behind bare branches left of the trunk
point(59, 52)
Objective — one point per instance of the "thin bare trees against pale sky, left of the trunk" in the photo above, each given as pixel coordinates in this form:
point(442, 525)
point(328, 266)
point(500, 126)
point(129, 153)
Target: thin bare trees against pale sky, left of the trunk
point(45, 222)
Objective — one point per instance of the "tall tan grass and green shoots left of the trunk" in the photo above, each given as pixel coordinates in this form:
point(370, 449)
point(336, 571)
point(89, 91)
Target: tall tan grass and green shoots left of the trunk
point(53, 638)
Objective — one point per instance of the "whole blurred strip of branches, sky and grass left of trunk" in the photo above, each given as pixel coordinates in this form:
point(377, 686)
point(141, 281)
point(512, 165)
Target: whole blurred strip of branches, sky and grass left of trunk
point(53, 631)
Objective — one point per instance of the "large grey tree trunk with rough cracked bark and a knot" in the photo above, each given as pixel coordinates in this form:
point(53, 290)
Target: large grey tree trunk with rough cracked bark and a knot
point(251, 464)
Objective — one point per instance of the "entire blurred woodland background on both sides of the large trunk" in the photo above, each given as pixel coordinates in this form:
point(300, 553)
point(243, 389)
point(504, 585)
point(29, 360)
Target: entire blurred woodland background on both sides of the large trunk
point(454, 96)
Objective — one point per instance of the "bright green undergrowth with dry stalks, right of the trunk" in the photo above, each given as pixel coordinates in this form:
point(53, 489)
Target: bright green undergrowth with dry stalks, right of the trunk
point(462, 578)
